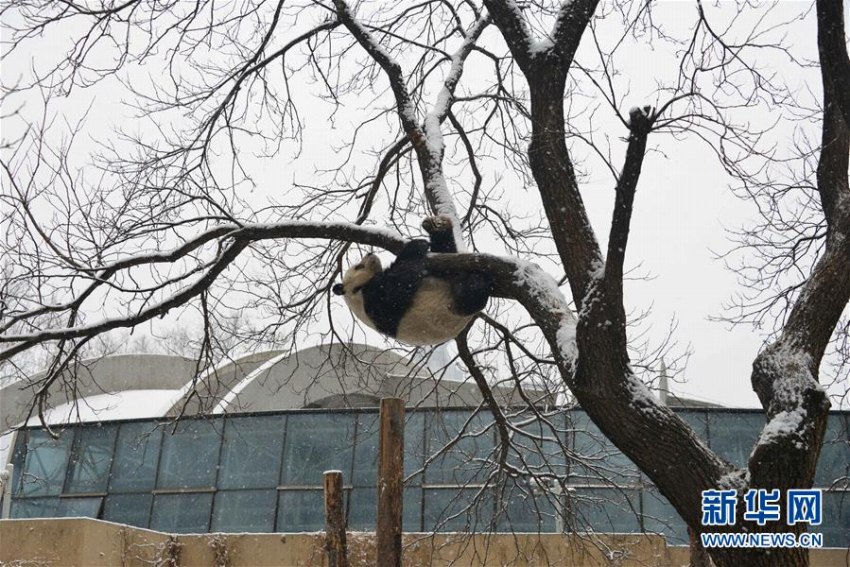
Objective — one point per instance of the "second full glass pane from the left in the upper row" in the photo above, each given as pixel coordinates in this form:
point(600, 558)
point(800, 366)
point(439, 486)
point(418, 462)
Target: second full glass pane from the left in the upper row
point(90, 459)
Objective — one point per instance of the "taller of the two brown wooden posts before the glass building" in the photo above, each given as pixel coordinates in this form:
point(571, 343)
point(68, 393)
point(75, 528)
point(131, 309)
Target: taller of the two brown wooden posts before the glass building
point(390, 480)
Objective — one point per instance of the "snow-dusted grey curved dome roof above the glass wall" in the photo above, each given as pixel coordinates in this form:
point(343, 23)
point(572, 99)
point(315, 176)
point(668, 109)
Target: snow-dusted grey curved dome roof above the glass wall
point(129, 386)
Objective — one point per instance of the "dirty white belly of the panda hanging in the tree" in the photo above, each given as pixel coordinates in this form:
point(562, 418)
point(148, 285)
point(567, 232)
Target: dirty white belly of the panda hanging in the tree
point(430, 320)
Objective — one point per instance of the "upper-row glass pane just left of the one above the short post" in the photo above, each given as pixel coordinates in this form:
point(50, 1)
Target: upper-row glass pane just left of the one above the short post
point(250, 456)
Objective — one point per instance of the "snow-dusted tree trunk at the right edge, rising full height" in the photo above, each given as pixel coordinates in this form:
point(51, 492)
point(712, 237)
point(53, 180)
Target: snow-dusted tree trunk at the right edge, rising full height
point(785, 374)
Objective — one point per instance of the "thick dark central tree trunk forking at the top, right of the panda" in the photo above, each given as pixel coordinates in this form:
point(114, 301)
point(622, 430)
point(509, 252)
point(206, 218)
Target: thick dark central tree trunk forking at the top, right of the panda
point(658, 441)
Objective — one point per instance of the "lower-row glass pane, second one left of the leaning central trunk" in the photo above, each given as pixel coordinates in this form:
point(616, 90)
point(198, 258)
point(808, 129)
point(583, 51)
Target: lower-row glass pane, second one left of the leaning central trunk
point(605, 510)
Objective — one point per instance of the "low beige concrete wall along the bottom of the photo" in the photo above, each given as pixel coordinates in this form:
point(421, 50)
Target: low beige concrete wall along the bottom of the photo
point(93, 543)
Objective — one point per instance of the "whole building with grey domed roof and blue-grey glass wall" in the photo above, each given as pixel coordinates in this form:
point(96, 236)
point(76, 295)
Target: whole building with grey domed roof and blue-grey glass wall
point(235, 469)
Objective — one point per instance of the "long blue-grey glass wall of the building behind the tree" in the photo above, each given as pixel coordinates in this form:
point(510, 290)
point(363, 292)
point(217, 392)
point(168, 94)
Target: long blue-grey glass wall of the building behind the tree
point(263, 472)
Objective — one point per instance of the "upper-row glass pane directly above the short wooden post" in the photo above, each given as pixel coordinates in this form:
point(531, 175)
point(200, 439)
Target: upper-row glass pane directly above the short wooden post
point(316, 443)
